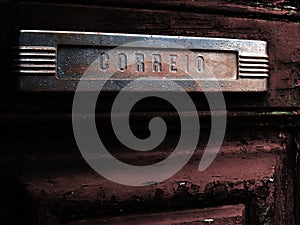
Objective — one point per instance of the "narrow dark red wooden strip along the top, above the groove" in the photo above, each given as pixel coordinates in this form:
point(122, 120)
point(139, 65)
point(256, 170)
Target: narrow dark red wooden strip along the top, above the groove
point(283, 7)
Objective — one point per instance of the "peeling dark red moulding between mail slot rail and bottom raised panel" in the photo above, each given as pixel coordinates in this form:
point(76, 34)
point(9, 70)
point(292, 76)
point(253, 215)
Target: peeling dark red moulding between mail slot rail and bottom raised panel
point(64, 188)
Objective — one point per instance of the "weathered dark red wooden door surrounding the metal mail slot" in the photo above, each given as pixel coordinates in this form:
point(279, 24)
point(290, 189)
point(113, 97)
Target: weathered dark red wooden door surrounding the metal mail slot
point(254, 178)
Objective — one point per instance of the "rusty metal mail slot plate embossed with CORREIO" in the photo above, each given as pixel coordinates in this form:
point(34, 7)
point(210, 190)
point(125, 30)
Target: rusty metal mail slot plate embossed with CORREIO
point(57, 61)
